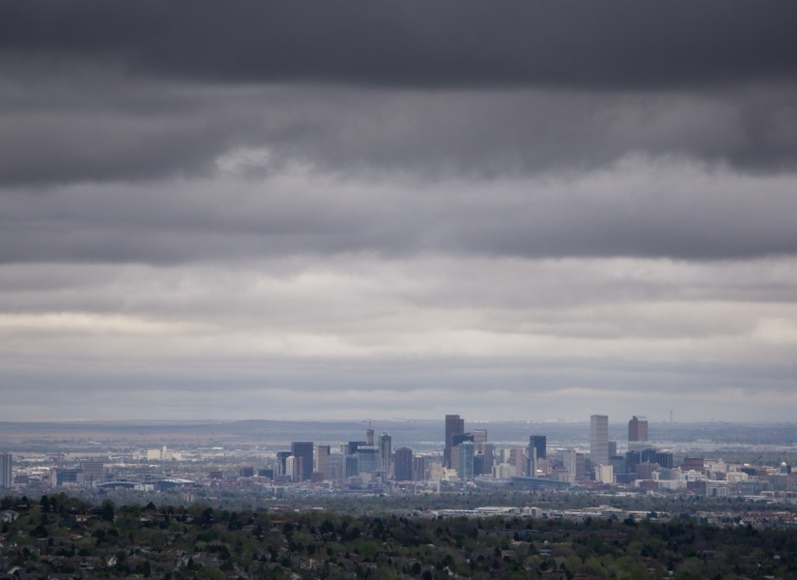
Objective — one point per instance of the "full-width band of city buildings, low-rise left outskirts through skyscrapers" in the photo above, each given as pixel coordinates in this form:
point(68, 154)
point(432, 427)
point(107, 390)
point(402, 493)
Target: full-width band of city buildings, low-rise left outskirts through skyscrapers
point(466, 459)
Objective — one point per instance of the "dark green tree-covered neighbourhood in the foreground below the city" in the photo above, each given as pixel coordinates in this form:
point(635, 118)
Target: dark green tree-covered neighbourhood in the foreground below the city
point(59, 534)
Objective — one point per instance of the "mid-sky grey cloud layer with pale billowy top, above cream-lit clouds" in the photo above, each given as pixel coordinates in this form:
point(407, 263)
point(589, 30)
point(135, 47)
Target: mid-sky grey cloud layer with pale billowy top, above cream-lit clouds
point(637, 207)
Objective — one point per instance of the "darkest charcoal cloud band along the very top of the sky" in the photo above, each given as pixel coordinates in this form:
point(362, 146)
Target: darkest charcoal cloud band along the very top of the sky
point(477, 44)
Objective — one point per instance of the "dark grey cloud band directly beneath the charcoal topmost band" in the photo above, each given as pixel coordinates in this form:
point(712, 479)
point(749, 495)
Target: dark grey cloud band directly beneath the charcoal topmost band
point(55, 130)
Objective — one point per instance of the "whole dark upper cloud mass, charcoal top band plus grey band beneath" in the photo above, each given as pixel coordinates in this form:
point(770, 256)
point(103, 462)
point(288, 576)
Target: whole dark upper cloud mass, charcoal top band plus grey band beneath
point(137, 90)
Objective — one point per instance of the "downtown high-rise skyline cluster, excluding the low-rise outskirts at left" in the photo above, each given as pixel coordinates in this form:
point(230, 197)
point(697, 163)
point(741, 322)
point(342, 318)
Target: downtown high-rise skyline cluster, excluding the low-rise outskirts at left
point(469, 458)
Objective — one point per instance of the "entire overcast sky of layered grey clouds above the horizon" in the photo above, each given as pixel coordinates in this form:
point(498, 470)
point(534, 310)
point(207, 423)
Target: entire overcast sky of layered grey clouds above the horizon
point(398, 209)
